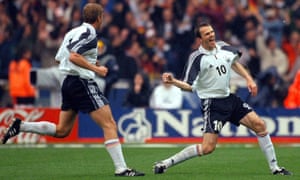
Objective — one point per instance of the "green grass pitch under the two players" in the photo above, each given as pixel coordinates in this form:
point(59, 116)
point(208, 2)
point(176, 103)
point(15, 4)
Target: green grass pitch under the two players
point(227, 162)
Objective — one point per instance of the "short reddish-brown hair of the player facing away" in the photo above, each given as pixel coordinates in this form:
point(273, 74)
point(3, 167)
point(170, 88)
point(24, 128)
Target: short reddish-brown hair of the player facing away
point(91, 12)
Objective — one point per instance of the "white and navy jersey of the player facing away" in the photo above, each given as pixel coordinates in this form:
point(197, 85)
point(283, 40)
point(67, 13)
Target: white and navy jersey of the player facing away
point(82, 40)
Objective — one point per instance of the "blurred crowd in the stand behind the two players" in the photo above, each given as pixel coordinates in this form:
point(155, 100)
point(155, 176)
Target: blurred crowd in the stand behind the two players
point(140, 39)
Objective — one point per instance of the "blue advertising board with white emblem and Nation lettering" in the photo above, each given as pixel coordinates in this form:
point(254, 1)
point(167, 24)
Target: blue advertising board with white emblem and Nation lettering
point(185, 125)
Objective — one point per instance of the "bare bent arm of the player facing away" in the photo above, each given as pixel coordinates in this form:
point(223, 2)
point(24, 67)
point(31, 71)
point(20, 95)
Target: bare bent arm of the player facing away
point(80, 61)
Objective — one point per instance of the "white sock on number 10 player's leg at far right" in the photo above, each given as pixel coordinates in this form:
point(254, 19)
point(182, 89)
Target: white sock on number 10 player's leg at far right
point(267, 147)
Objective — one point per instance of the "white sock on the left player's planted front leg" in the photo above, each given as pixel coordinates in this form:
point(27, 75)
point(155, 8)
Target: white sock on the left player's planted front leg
point(114, 148)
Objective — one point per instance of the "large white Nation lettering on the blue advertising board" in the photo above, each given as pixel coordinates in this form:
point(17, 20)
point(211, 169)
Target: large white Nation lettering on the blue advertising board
point(285, 126)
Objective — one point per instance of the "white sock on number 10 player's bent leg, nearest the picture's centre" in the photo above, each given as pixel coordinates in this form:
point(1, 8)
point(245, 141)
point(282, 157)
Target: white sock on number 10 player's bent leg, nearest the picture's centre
point(187, 153)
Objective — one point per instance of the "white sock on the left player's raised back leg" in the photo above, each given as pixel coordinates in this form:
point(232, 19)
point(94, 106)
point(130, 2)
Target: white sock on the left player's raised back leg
point(42, 127)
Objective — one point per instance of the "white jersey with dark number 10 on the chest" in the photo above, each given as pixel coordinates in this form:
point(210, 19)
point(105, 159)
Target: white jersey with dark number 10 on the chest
point(209, 71)
